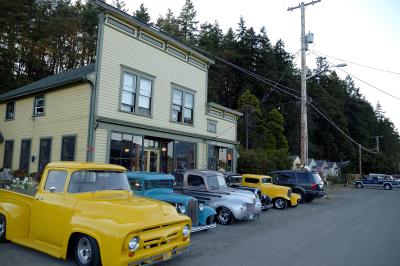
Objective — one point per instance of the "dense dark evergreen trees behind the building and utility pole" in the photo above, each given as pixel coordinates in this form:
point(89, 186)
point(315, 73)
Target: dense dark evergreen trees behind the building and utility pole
point(43, 37)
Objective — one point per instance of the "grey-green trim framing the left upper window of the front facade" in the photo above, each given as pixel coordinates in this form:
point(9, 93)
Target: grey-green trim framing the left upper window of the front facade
point(139, 75)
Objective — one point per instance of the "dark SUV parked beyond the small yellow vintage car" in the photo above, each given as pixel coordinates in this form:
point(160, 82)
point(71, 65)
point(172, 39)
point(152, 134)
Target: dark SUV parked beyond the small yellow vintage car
point(308, 184)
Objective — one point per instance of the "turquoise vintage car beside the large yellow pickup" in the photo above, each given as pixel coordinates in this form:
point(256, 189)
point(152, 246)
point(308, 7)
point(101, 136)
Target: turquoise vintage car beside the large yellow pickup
point(161, 187)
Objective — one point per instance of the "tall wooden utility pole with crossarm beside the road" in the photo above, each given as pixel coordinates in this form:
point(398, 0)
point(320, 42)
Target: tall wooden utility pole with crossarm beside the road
point(303, 115)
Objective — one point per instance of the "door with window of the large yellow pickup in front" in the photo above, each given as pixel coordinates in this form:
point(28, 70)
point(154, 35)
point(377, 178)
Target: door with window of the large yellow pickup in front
point(48, 216)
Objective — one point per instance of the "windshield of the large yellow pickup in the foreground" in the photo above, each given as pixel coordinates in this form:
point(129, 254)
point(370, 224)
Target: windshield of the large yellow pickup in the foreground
point(90, 181)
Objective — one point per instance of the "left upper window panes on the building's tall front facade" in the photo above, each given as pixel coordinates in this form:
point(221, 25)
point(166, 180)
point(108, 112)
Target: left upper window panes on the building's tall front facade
point(136, 95)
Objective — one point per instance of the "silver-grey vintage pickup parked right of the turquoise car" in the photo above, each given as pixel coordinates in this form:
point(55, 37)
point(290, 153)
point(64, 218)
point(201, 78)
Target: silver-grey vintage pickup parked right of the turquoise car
point(209, 187)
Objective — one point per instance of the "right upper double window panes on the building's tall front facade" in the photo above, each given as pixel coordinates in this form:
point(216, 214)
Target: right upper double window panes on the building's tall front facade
point(182, 106)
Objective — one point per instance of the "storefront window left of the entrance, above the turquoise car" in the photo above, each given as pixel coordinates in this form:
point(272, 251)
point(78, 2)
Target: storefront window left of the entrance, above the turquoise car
point(126, 150)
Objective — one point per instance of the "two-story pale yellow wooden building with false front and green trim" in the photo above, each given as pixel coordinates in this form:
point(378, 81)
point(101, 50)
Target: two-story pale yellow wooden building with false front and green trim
point(142, 104)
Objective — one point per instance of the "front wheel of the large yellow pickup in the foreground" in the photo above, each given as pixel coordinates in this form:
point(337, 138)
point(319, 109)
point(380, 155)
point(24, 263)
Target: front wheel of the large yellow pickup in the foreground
point(87, 252)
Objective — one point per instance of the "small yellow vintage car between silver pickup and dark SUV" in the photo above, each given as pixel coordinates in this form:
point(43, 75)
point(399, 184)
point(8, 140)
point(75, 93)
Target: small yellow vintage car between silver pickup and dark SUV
point(281, 196)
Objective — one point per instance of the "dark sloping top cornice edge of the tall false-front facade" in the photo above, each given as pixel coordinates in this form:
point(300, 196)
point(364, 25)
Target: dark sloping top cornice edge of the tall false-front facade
point(153, 30)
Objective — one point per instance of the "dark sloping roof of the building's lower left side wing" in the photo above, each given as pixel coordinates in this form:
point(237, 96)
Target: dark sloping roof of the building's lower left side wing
point(49, 82)
